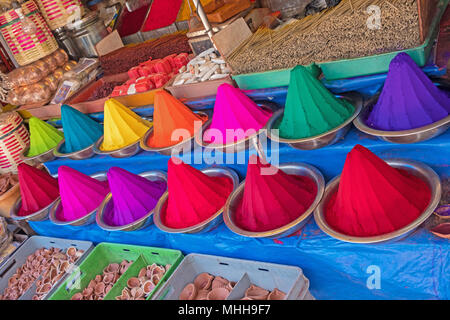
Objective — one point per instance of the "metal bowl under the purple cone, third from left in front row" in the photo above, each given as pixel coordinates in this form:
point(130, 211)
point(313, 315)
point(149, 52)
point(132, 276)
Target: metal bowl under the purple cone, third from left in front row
point(143, 222)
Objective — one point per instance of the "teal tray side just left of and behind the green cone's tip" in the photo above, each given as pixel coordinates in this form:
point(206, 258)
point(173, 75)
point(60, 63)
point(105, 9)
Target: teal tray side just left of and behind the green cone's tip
point(269, 79)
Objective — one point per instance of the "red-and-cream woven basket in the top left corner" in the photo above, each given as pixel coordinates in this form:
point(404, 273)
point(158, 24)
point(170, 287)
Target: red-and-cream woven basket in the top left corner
point(27, 48)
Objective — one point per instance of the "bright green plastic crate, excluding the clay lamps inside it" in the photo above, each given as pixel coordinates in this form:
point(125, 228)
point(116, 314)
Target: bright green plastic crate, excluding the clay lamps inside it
point(106, 253)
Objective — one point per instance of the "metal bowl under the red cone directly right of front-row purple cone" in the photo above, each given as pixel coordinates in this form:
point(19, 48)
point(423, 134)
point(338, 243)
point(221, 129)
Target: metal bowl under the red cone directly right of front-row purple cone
point(203, 226)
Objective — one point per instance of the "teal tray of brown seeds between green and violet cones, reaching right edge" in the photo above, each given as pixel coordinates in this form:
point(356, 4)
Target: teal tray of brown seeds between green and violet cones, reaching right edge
point(349, 68)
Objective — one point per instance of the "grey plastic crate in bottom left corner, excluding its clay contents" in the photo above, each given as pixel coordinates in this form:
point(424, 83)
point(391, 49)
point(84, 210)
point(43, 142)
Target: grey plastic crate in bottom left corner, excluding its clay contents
point(19, 257)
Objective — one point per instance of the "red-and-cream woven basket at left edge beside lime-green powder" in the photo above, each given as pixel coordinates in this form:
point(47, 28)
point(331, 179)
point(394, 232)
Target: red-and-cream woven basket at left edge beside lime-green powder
point(14, 139)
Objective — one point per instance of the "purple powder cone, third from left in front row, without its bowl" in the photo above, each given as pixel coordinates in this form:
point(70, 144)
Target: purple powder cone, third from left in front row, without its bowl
point(133, 196)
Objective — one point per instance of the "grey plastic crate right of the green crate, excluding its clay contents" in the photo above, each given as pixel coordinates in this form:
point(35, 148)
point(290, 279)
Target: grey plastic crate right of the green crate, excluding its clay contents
point(289, 279)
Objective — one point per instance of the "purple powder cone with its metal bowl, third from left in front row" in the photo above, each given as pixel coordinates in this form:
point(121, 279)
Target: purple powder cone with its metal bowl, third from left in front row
point(132, 199)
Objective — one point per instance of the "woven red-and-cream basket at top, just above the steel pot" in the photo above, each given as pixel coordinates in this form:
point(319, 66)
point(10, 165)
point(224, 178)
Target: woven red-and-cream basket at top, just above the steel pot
point(58, 12)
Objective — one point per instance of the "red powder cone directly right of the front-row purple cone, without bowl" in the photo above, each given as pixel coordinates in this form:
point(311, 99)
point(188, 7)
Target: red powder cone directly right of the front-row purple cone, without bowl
point(193, 196)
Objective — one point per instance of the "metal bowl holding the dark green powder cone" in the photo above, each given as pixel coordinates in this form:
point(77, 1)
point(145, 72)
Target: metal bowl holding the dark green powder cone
point(324, 139)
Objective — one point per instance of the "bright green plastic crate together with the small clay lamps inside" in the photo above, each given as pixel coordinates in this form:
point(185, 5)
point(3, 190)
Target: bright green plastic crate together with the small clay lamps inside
point(108, 268)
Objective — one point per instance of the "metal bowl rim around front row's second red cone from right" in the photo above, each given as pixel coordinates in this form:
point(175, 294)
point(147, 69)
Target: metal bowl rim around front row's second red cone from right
point(271, 233)
